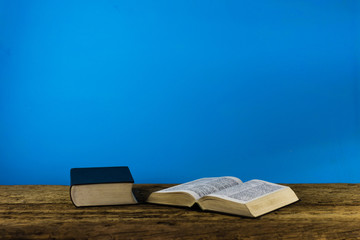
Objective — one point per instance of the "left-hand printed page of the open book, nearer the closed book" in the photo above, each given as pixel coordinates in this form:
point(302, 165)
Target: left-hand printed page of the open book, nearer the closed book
point(204, 186)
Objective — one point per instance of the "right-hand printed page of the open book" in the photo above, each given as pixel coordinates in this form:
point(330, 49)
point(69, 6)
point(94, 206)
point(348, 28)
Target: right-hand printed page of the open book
point(248, 191)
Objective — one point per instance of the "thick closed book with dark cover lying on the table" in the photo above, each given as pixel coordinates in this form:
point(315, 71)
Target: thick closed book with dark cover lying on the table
point(101, 186)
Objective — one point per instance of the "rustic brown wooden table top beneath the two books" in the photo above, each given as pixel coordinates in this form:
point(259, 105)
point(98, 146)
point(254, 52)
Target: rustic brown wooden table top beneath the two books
point(326, 211)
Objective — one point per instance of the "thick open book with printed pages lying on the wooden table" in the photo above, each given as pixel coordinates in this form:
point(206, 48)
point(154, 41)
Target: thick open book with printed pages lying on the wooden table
point(227, 194)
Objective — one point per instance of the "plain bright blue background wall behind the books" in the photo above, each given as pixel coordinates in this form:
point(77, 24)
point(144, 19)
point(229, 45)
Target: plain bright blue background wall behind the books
point(179, 90)
